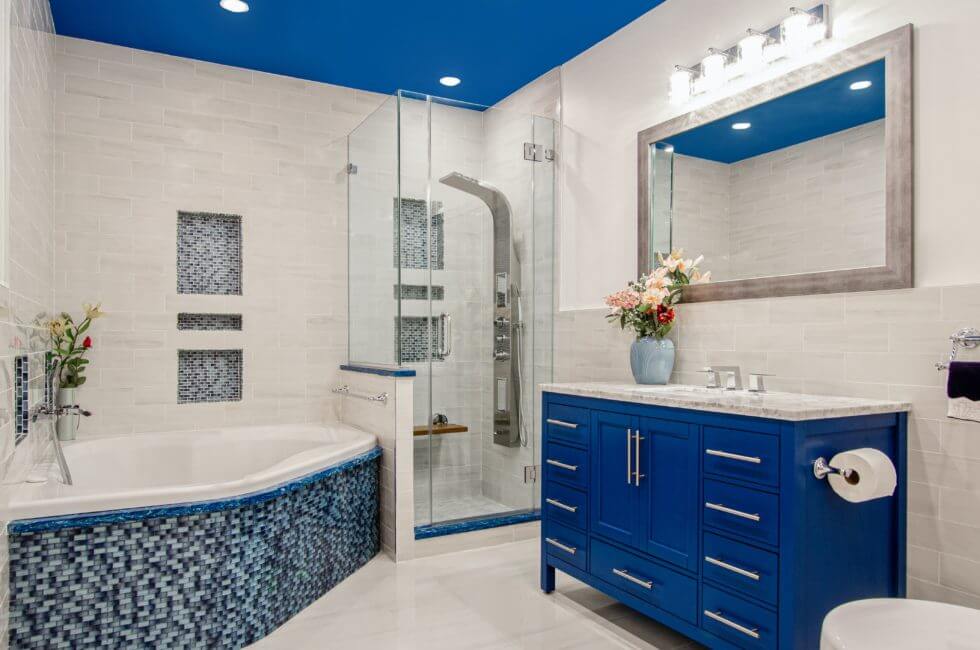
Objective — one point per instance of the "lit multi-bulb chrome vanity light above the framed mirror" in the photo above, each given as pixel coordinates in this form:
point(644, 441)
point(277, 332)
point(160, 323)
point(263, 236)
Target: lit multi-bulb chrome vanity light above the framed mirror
point(792, 37)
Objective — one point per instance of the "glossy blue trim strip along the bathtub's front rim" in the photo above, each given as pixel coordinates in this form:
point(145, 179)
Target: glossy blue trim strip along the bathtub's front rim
point(177, 510)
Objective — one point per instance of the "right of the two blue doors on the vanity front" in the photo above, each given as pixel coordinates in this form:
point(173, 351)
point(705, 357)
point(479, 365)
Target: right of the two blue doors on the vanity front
point(669, 485)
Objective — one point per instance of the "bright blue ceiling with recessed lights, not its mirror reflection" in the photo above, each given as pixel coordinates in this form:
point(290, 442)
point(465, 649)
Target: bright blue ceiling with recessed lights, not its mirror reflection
point(494, 46)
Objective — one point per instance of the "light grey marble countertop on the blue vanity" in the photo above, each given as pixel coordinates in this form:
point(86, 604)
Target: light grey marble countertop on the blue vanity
point(774, 405)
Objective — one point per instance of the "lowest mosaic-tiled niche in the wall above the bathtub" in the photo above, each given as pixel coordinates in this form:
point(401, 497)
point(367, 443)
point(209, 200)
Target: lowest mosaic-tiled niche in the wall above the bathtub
point(209, 376)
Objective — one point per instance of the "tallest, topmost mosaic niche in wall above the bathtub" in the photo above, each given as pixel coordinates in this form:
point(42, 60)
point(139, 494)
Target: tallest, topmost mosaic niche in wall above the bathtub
point(209, 253)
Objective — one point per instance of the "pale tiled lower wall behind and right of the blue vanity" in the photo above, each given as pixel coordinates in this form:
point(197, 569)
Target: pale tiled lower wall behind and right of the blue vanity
point(880, 345)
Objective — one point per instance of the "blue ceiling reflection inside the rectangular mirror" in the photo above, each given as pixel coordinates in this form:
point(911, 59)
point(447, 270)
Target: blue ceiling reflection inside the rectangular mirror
point(813, 112)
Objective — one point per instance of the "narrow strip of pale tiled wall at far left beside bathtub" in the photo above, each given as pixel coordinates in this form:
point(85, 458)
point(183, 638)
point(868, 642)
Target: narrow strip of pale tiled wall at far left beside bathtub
point(28, 300)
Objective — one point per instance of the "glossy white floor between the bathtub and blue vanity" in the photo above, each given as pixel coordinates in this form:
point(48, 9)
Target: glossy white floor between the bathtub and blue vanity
point(486, 598)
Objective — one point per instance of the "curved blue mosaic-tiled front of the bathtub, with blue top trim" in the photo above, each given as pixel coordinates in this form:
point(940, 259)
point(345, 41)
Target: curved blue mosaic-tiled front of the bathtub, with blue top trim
point(220, 574)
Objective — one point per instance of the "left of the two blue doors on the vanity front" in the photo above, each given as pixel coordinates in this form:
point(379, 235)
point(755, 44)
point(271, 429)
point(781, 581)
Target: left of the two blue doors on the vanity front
point(614, 499)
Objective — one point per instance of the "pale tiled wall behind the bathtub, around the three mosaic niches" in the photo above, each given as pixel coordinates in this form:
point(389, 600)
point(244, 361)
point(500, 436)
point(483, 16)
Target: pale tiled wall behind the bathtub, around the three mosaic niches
point(142, 135)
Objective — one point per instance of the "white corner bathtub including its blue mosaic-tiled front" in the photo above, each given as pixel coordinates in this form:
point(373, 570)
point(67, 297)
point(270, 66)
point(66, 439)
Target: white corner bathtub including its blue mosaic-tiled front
point(189, 539)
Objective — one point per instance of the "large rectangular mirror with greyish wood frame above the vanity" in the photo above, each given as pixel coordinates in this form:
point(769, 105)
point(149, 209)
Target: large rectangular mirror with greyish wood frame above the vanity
point(800, 185)
